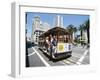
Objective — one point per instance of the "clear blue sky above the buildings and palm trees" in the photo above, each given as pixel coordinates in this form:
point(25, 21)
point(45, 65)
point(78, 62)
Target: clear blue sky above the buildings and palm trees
point(74, 19)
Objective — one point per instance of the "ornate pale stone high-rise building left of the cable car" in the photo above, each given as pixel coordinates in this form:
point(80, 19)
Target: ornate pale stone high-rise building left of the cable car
point(38, 28)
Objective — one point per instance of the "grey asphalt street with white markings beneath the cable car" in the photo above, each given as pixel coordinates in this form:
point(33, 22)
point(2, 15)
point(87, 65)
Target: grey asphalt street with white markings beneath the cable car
point(37, 58)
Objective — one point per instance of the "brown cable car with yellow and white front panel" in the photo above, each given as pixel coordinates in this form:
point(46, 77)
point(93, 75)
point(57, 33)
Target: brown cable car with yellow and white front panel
point(63, 46)
